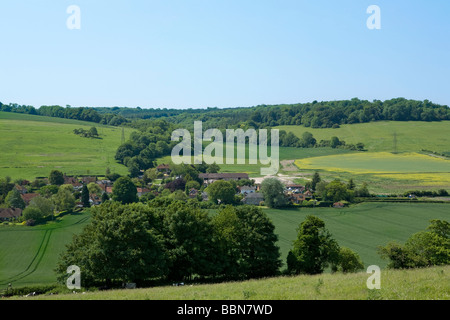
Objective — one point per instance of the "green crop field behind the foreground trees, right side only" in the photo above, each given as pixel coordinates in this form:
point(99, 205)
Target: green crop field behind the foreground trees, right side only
point(362, 227)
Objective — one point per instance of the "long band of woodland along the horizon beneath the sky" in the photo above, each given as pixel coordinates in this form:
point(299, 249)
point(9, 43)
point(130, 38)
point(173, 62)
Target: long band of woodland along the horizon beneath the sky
point(324, 114)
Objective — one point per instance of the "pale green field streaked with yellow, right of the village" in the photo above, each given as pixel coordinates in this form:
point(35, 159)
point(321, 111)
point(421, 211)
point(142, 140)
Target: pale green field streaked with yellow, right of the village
point(384, 171)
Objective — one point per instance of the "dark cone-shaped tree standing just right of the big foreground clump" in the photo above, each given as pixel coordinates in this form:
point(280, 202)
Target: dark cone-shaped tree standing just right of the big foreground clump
point(314, 249)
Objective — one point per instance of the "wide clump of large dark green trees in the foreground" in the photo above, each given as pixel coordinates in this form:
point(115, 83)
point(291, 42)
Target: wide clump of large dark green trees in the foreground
point(168, 240)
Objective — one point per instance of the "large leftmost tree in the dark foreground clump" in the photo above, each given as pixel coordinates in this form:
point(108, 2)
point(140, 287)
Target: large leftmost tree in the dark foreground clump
point(121, 243)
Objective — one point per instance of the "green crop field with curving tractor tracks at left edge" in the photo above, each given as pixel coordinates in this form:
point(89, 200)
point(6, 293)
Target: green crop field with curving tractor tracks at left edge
point(28, 255)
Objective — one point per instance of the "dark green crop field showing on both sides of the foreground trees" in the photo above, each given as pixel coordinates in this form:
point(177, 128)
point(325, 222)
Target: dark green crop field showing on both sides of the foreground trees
point(28, 255)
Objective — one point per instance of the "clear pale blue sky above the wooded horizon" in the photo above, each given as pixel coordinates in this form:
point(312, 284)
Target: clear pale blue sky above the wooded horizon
point(222, 53)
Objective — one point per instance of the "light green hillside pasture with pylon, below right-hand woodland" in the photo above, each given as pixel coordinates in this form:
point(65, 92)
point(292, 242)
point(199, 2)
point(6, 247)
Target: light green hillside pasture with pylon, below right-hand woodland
point(379, 136)
